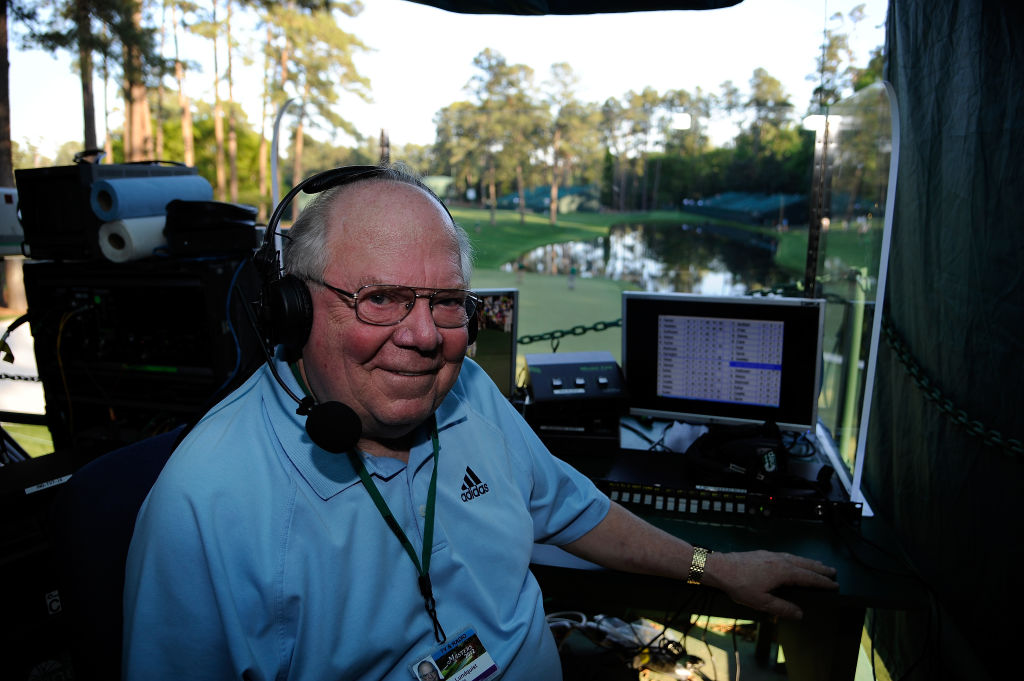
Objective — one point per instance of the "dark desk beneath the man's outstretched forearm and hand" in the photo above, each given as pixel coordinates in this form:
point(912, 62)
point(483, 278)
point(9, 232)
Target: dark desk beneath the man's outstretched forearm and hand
point(822, 647)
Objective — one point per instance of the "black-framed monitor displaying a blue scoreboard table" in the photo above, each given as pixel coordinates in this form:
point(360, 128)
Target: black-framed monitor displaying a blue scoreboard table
point(733, 361)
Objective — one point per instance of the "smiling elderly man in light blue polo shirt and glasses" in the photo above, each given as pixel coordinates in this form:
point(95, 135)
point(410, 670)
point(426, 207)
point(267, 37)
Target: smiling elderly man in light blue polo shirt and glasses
point(260, 556)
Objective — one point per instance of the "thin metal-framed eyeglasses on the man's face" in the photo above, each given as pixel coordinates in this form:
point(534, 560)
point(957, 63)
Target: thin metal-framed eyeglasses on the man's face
point(388, 305)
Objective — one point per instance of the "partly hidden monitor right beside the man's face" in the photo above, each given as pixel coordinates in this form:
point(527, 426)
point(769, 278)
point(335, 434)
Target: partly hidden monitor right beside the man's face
point(495, 349)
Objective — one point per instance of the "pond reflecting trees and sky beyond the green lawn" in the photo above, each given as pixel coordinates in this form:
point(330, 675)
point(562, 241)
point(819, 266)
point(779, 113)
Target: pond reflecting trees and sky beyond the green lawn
point(709, 260)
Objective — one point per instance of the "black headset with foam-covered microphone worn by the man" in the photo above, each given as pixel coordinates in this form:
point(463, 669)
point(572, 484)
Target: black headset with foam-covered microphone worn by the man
point(285, 312)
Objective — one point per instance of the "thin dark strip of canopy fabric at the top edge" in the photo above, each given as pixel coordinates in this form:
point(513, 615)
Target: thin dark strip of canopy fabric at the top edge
point(570, 7)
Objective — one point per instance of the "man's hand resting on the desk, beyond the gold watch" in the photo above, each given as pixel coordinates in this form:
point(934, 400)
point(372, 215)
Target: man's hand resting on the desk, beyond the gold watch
point(750, 579)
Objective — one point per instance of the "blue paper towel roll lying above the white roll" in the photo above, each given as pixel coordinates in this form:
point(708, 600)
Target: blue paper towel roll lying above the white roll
point(119, 198)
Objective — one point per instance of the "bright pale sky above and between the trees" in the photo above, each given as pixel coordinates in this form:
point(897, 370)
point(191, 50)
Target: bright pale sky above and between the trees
point(422, 61)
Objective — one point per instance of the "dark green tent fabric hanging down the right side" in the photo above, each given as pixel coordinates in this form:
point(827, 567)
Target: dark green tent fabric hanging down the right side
point(956, 297)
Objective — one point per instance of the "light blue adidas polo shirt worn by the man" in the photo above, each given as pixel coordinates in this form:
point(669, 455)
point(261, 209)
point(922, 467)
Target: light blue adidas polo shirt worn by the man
point(259, 556)
